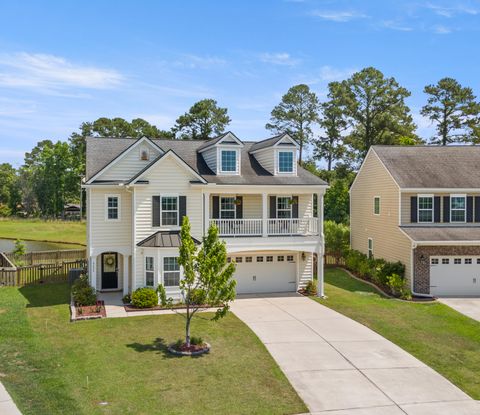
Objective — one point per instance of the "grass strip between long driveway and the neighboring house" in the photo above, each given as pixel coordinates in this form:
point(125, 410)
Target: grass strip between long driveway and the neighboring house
point(444, 339)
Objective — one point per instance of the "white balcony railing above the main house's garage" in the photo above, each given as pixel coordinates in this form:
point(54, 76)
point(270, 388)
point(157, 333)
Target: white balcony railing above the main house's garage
point(274, 227)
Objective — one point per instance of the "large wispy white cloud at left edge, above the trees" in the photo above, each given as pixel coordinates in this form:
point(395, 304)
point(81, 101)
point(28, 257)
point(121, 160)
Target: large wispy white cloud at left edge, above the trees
point(49, 72)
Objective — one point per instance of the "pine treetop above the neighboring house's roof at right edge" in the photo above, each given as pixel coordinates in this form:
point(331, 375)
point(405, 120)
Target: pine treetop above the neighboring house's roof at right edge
point(454, 111)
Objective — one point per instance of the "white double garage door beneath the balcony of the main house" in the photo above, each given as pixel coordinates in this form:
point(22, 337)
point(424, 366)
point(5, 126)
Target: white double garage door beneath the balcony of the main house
point(265, 273)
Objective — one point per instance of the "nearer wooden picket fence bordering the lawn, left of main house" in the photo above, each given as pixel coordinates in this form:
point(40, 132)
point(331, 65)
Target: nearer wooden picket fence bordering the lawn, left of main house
point(40, 273)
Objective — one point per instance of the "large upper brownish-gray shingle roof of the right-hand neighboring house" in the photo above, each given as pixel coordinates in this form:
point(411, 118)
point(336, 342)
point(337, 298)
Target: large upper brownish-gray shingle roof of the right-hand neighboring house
point(432, 166)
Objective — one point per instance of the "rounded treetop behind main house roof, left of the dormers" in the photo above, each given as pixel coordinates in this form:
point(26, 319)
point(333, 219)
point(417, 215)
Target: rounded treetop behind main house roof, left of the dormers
point(204, 120)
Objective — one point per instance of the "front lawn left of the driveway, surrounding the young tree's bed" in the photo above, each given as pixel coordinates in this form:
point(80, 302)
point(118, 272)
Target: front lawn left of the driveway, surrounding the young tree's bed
point(52, 366)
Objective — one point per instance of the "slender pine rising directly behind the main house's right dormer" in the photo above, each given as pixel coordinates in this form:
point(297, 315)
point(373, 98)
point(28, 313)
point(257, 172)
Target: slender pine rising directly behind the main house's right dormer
point(295, 115)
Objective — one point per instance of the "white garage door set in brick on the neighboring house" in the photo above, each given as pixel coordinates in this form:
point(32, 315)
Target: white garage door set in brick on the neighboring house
point(455, 275)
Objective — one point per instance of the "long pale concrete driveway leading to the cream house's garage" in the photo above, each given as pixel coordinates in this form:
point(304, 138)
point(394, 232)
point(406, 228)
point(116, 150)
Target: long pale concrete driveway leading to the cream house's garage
point(338, 365)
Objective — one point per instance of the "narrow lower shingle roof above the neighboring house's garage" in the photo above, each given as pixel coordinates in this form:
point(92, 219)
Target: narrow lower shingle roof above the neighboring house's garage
point(443, 233)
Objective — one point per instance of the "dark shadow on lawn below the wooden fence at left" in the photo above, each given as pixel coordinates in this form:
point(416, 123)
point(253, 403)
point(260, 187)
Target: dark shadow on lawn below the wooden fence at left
point(45, 295)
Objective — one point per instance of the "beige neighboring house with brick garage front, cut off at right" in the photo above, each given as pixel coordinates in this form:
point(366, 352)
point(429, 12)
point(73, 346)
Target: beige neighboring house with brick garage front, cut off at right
point(421, 205)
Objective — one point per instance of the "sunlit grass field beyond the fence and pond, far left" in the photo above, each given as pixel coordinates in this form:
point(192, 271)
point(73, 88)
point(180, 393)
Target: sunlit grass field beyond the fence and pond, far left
point(40, 230)
